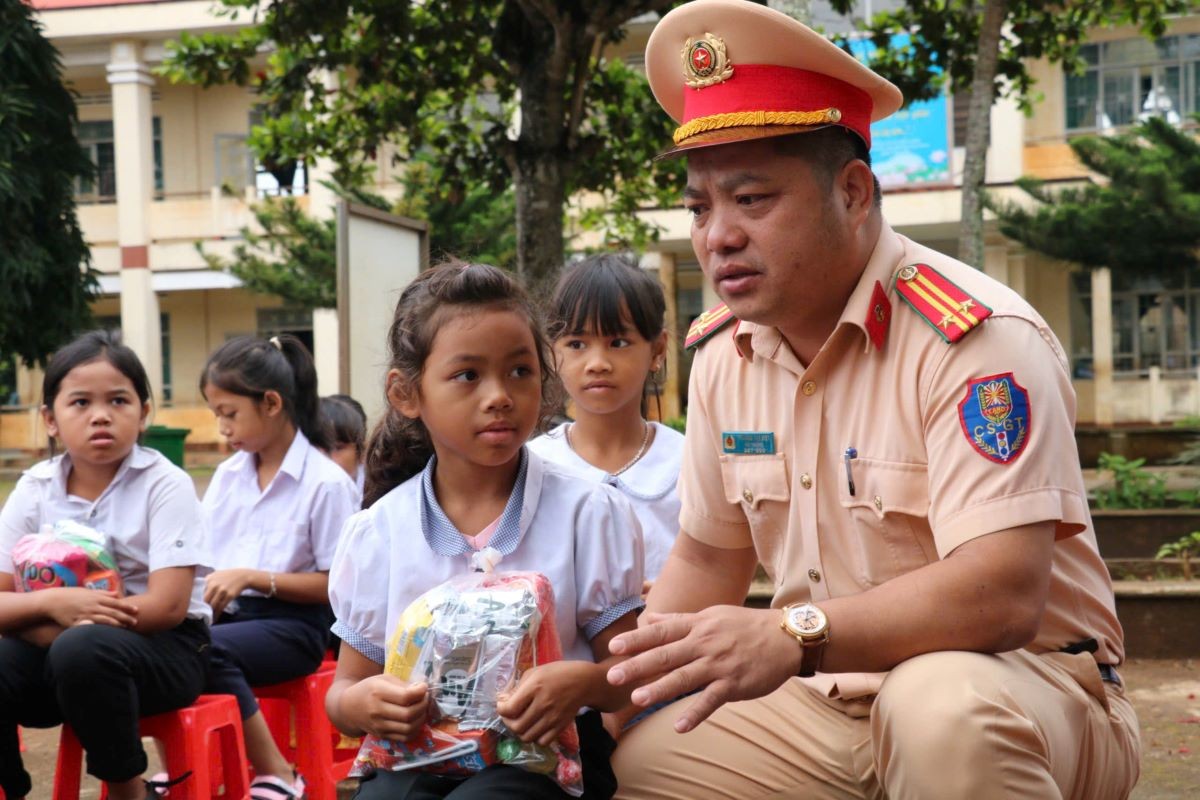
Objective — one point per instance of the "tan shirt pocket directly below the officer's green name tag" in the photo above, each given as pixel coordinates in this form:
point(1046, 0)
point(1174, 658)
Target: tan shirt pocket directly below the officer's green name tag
point(761, 486)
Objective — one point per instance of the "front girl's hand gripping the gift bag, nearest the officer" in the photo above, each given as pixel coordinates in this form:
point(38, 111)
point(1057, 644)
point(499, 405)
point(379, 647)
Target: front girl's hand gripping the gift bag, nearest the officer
point(545, 701)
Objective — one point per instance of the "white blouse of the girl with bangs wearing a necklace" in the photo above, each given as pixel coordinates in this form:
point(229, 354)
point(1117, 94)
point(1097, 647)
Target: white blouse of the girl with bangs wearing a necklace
point(650, 485)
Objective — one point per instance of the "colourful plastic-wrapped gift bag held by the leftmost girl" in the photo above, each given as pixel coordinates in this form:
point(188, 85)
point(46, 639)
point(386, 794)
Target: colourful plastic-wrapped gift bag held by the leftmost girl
point(65, 555)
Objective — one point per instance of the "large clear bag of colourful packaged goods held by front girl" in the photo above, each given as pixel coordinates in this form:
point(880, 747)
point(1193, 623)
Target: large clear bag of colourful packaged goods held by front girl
point(471, 640)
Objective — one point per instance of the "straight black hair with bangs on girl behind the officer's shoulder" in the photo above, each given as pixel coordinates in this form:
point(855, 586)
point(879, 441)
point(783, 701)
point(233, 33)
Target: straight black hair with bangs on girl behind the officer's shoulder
point(601, 293)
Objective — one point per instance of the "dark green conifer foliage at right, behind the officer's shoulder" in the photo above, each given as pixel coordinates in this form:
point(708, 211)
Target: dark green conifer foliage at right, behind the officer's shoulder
point(1142, 215)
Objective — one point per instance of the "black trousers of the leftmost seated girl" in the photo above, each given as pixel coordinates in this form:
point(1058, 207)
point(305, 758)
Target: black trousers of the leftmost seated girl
point(100, 679)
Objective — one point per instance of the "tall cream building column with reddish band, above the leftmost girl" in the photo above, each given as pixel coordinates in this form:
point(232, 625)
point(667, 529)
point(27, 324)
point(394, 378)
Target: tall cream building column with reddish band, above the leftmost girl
point(134, 146)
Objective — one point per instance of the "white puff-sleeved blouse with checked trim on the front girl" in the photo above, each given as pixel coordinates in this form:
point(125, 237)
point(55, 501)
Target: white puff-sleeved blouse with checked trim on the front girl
point(585, 539)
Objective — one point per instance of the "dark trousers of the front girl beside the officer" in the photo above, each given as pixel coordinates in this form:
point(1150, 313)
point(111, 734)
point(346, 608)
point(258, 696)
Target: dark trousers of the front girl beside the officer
point(503, 781)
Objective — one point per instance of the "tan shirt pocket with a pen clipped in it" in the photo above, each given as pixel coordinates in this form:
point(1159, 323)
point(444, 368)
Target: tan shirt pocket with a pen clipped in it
point(889, 519)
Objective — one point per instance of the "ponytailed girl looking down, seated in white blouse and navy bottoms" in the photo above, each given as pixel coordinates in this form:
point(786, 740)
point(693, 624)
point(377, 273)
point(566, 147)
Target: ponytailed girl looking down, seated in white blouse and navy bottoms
point(274, 510)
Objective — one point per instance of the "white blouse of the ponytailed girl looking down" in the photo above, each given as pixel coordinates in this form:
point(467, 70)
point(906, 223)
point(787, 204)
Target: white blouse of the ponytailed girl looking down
point(292, 526)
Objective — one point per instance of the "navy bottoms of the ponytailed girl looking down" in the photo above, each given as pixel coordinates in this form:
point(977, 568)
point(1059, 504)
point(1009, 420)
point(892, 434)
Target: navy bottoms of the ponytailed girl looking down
point(266, 642)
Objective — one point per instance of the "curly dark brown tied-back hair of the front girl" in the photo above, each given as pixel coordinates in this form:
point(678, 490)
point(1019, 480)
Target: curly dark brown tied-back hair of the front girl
point(400, 448)
